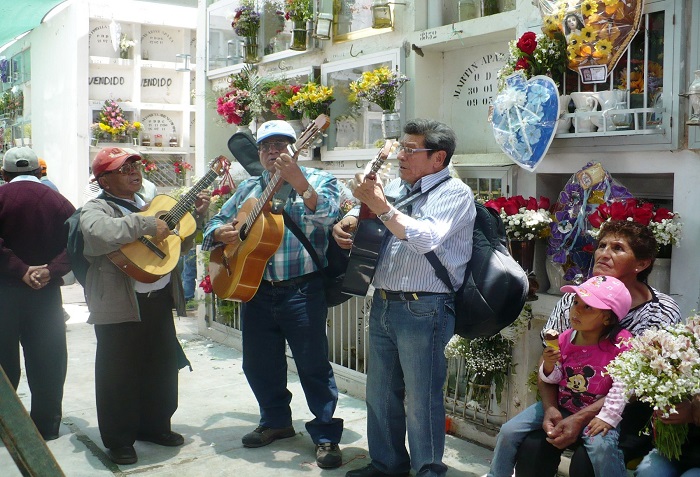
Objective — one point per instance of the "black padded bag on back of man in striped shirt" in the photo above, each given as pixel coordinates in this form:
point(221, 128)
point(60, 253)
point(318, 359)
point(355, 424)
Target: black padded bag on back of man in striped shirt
point(495, 285)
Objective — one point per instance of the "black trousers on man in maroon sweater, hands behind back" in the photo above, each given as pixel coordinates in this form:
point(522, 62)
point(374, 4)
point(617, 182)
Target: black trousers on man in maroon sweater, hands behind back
point(34, 318)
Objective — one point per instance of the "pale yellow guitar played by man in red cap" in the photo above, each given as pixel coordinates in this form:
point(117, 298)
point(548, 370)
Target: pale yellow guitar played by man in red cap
point(147, 260)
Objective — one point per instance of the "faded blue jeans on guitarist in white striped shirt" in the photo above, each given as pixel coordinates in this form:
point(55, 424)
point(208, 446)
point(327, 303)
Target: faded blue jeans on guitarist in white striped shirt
point(407, 361)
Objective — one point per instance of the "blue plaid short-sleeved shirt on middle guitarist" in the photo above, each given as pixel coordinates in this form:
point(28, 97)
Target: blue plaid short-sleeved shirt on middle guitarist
point(291, 259)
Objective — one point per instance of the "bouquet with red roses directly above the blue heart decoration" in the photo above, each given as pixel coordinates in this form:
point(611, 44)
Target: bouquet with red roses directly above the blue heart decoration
point(535, 54)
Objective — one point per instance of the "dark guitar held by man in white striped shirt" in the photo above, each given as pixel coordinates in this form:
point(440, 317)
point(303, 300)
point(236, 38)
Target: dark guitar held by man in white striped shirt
point(368, 238)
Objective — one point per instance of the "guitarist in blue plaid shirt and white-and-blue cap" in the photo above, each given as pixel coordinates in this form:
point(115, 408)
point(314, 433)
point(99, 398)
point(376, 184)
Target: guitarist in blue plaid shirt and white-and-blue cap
point(289, 303)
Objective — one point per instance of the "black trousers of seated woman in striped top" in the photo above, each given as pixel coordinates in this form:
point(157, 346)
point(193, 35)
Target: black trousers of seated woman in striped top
point(538, 458)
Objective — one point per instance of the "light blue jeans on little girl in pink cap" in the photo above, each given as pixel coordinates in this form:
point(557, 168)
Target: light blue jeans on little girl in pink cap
point(603, 450)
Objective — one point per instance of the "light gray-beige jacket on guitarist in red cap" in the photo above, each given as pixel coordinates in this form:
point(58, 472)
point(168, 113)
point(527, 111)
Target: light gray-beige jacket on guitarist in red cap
point(109, 292)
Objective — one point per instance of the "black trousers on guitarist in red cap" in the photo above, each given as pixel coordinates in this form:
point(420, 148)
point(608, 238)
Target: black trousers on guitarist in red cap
point(136, 373)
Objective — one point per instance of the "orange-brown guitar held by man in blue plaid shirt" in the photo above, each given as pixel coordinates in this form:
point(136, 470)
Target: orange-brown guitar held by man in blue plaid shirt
point(236, 269)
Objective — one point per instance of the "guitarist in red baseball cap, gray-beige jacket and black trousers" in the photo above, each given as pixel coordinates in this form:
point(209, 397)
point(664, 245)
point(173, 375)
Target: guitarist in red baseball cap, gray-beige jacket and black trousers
point(136, 363)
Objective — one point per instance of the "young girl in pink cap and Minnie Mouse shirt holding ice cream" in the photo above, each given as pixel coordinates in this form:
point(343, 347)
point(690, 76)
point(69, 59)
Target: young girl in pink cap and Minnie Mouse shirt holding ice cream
point(578, 364)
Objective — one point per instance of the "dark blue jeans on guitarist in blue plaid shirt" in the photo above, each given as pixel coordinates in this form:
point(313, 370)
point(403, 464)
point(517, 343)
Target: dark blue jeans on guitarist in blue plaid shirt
point(296, 314)
